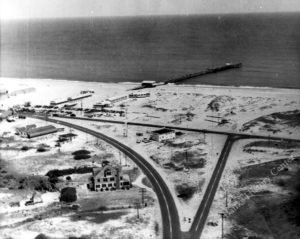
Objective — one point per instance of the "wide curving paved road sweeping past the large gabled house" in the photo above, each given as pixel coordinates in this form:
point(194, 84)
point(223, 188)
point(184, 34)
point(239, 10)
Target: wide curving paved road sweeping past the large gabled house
point(170, 219)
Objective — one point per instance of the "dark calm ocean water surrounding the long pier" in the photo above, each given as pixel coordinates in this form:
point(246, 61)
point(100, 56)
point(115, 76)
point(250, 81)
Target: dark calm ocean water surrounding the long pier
point(132, 49)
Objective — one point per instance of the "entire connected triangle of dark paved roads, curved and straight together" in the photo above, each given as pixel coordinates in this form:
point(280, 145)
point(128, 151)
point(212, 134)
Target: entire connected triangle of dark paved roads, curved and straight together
point(171, 224)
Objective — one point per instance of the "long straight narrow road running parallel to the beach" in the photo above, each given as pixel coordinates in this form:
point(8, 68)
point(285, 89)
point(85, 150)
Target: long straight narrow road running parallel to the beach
point(206, 131)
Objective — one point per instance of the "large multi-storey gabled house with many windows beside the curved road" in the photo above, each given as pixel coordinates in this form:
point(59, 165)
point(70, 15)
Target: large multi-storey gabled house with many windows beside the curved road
point(109, 178)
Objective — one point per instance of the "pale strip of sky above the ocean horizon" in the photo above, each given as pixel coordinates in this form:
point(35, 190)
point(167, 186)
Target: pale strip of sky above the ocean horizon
point(27, 9)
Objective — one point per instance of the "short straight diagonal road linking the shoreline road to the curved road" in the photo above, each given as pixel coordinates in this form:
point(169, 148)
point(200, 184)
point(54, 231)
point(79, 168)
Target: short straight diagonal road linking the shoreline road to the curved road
point(203, 210)
